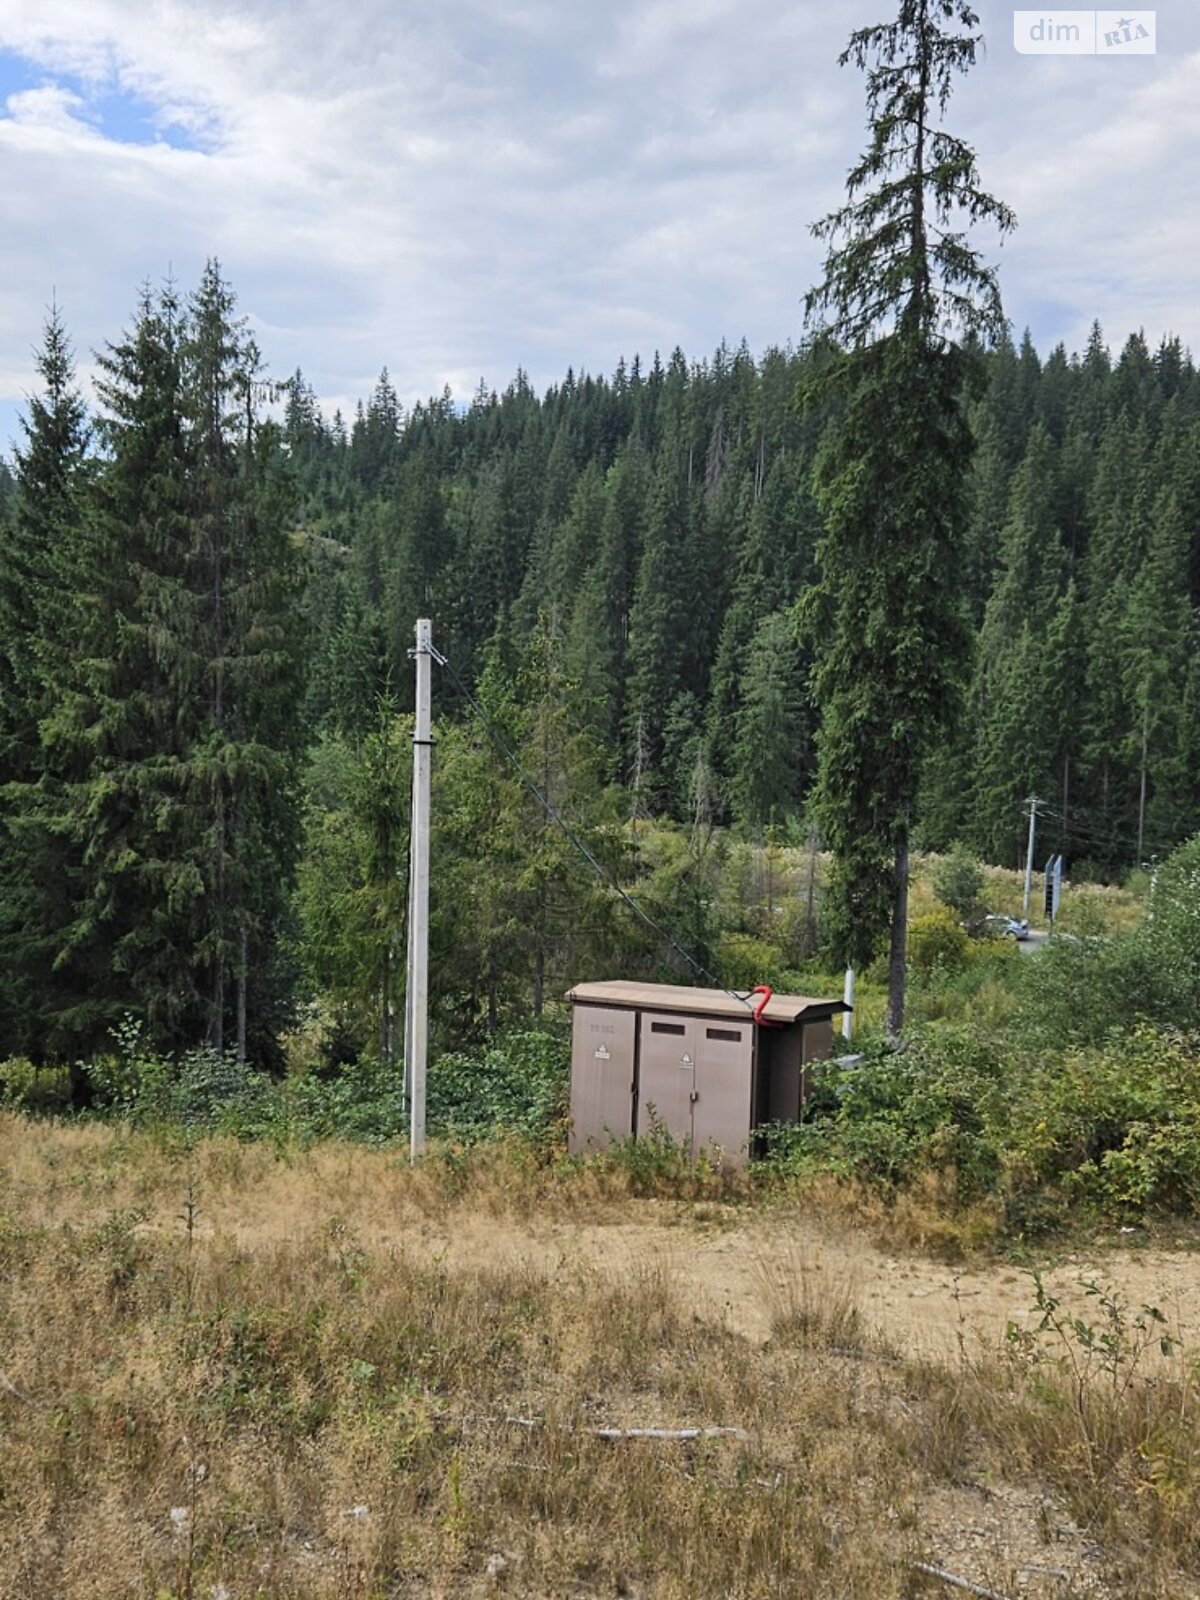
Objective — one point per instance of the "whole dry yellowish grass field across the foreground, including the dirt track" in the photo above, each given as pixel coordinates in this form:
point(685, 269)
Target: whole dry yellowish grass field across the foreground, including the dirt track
point(234, 1372)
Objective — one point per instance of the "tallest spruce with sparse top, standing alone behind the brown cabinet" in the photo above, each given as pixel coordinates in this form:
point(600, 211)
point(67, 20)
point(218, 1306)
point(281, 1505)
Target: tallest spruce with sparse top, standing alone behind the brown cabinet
point(905, 292)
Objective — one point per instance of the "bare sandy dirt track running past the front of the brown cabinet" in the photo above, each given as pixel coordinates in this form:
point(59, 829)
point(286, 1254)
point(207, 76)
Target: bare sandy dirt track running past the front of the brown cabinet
point(746, 1270)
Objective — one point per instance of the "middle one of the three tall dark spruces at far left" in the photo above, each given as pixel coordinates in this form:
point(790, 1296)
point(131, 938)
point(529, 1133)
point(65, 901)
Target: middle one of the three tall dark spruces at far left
point(114, 730)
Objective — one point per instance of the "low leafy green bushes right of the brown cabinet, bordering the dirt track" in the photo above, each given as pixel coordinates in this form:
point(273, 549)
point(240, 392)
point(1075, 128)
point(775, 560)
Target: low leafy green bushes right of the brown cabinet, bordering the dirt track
point(1114, 1130)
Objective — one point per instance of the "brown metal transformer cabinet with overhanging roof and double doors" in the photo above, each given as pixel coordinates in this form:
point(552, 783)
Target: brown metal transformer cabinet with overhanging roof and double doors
point(692, 1062)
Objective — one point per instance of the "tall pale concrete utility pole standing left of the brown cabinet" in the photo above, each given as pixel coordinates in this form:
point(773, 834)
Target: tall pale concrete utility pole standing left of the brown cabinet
point(417, 994)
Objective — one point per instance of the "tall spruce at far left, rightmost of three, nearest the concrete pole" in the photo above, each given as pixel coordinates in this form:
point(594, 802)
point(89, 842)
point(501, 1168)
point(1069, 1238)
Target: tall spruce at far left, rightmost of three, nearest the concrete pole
point(244, 590)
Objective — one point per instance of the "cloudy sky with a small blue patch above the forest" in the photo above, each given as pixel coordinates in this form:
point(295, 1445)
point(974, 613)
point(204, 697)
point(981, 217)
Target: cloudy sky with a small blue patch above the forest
point(457, 188)
